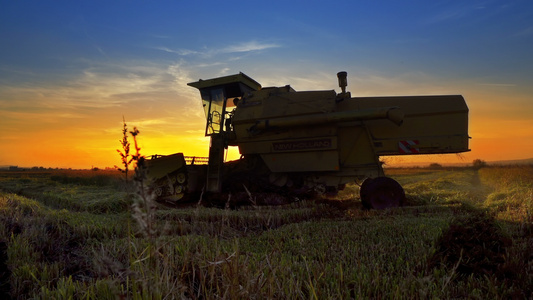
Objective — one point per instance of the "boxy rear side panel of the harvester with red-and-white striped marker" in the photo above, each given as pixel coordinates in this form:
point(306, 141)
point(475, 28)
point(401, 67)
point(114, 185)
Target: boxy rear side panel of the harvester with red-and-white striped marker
point(432, 124)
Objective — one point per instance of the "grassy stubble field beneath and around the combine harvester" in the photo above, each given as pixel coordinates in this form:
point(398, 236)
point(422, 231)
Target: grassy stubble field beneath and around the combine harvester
point(464, 233)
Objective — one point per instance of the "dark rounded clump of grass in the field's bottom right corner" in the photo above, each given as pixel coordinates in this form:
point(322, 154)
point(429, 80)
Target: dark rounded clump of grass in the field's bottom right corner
point(478, 253)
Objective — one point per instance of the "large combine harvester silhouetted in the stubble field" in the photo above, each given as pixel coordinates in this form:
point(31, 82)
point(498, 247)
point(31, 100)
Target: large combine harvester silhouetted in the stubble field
point(294, 142)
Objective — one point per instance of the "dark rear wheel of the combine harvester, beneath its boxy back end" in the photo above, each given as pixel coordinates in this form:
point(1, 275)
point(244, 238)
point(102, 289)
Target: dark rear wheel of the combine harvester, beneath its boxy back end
point(381, 193)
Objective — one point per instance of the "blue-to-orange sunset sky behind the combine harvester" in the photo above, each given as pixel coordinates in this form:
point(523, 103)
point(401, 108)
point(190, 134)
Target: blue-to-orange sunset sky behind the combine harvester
point(70, 70)
